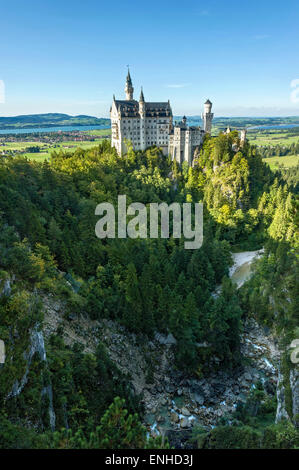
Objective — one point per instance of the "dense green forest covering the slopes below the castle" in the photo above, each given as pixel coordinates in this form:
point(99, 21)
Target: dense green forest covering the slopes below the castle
point(48, 250)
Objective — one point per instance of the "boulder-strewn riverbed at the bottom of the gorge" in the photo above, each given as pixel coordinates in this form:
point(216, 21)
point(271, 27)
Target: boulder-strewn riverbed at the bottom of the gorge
point(180, 403)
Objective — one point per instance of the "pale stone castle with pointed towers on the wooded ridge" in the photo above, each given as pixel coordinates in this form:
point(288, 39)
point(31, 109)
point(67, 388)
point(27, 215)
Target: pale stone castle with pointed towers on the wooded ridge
point(146, 123)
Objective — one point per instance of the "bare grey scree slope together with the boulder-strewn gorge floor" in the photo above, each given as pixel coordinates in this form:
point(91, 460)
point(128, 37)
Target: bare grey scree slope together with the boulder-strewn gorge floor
point(170, 396)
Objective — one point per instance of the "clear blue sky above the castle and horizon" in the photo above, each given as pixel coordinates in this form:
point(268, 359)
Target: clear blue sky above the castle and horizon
point(70, 56)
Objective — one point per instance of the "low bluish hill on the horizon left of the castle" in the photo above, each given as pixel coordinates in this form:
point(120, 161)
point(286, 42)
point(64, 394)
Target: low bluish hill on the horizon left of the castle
point(29, 121)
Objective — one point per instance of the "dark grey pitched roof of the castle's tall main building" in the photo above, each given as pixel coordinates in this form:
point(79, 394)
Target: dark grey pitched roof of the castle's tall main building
point(130, 108)
